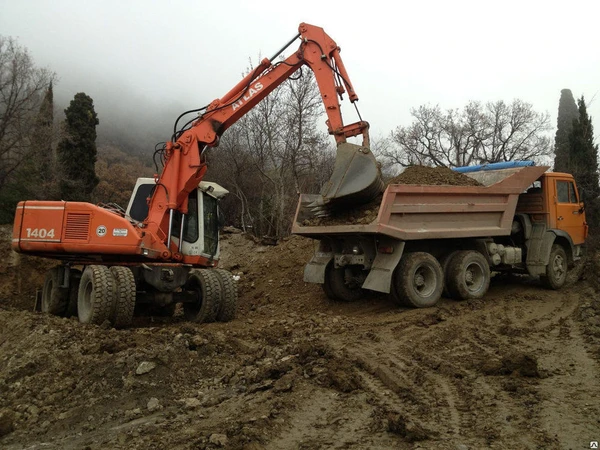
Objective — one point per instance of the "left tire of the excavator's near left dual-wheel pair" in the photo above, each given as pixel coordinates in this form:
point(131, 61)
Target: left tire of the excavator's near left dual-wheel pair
point(96, 298)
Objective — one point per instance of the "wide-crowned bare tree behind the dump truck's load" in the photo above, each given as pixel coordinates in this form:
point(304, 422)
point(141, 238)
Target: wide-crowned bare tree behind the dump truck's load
point(477, 134)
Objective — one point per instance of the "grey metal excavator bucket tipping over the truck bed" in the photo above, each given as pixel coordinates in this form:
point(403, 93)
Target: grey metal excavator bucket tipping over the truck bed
point(356, 180)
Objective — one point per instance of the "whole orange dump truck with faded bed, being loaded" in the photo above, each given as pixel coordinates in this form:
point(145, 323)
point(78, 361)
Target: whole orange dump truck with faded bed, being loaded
point(427, 240)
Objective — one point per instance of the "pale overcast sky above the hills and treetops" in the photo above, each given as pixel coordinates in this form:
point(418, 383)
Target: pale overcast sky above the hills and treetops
point(398, 54)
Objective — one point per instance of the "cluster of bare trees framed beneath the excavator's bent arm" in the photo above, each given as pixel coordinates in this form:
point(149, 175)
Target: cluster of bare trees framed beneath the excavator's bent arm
point(271, 155)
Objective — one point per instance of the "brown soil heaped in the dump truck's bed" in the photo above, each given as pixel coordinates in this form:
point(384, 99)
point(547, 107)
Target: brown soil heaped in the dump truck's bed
point(419, 175)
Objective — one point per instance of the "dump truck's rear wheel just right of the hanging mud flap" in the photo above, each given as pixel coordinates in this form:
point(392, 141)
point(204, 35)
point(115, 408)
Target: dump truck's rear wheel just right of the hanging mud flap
point(418, 280)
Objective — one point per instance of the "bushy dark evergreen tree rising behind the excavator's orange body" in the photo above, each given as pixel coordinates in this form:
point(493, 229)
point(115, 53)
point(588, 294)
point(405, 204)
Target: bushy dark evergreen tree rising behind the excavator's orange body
point(77, 151)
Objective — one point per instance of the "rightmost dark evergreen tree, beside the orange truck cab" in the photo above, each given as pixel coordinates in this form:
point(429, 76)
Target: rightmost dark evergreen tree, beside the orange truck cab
point(584, 161)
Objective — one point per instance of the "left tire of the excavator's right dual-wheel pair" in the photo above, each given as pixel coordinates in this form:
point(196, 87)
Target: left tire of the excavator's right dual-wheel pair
point(207, 289)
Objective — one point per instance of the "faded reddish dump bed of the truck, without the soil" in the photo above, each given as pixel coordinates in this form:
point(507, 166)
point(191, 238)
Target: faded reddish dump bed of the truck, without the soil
point(411, 212)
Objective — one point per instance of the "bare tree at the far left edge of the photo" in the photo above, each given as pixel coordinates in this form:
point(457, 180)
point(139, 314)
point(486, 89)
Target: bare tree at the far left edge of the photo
point(22, 88)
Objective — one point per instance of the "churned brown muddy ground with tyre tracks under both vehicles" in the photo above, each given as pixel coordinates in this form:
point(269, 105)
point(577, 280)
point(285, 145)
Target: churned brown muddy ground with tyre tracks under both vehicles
point(517, 370)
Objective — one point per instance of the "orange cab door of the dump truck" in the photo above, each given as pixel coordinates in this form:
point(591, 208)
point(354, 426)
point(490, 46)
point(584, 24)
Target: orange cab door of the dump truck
point(569, 213)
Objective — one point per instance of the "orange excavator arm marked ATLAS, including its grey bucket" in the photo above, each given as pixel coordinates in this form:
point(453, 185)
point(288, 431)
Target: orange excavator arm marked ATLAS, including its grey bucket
point(184, 166)
